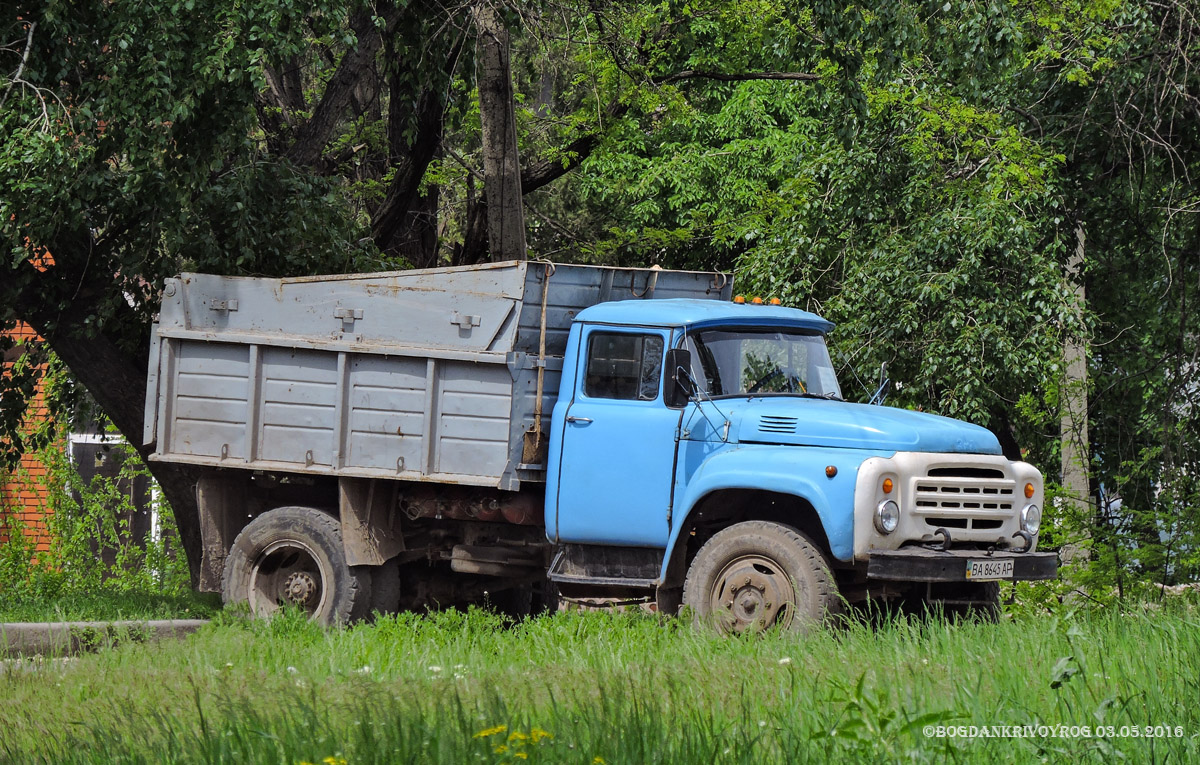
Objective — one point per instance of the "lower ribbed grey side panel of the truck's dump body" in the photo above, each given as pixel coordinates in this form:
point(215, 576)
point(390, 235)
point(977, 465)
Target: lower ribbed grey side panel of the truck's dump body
point(338, 414)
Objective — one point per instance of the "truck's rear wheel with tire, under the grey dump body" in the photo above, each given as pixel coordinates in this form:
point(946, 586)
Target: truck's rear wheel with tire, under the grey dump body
point(296, 556)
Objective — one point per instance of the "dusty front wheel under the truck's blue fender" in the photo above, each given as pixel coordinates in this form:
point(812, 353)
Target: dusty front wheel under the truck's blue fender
point(759, 575)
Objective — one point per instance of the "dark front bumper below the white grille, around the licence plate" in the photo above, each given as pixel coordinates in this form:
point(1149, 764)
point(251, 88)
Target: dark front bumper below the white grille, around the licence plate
point(926, 565)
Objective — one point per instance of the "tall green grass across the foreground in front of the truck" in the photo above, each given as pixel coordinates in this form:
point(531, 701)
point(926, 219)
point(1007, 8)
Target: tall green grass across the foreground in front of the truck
point(598, 688)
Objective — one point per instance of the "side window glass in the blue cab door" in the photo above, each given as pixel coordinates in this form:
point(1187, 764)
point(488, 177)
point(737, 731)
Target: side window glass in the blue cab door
point(625, 366)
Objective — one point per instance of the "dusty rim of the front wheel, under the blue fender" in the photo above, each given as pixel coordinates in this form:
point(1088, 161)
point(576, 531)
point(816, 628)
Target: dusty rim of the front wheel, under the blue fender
point(752, 593)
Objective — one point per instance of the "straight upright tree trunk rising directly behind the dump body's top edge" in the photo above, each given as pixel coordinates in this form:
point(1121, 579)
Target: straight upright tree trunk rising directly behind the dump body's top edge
point(497, 115)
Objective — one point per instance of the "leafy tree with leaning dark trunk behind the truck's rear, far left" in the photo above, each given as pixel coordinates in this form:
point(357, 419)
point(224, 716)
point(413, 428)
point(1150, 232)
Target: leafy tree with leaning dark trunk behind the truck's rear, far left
point(127, 155)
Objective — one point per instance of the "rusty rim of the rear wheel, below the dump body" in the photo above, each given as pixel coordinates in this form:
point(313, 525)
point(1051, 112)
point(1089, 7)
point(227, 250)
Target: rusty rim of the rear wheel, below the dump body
point(287, 573)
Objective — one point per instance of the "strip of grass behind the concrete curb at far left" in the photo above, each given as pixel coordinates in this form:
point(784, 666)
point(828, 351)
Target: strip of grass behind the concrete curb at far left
point(109, 606)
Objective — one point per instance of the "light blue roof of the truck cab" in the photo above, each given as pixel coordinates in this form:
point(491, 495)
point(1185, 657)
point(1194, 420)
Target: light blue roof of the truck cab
point(693, 312)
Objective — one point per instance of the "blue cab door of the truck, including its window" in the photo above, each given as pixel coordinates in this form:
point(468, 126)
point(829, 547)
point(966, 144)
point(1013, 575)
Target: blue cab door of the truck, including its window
point(619, 442)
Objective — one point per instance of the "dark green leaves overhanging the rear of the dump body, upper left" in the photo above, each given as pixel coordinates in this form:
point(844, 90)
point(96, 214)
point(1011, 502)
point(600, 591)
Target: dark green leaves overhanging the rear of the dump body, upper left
point(137, 128)
